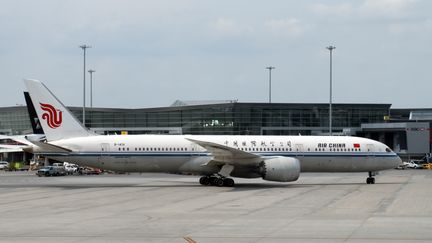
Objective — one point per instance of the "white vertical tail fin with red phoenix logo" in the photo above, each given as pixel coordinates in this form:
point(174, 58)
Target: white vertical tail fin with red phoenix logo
point(56, 120)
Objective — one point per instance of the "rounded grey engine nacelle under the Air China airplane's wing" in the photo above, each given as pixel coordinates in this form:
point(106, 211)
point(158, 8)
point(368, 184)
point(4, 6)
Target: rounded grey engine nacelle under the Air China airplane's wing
point(281, 169)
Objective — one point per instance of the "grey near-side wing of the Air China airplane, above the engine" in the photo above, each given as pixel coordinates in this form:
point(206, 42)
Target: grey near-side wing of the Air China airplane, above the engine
point(227, 155)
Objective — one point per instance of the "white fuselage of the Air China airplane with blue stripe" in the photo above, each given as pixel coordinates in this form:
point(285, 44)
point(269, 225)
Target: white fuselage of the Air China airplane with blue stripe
point(176, 154)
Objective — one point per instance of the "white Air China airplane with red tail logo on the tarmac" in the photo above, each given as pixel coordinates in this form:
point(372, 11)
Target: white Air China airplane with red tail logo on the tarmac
point(216, 158)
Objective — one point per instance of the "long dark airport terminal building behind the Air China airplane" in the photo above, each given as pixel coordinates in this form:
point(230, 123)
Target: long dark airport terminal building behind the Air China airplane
point(406, 131)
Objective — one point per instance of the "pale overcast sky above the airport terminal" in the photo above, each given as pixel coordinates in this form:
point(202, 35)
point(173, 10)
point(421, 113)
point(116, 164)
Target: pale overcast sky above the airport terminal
point(151, 53)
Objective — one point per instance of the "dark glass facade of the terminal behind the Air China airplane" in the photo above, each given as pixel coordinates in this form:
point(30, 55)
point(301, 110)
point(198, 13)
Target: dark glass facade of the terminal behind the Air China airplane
point(218, 119)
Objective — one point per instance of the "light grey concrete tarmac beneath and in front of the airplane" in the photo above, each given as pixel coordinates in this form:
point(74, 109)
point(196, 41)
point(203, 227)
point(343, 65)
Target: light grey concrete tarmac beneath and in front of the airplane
point(327, 207)
